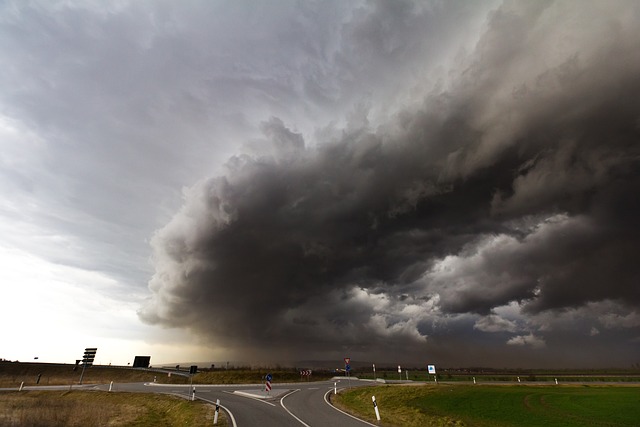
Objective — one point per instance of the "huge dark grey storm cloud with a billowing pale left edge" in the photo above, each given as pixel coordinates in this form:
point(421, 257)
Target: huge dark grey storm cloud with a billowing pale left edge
point(510, 196)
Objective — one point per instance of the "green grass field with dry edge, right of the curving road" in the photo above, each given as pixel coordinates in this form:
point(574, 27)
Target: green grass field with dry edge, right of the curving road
point(497, 406)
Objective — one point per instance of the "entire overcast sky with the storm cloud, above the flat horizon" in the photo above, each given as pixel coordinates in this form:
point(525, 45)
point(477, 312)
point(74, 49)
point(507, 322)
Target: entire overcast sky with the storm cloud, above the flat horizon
point(447, 182)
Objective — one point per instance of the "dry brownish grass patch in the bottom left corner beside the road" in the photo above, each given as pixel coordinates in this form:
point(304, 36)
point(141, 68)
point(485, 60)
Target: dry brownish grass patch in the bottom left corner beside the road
point(91, 408)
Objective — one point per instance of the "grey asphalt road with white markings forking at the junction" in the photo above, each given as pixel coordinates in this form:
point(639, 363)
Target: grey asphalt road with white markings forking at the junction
point(294, 404)
